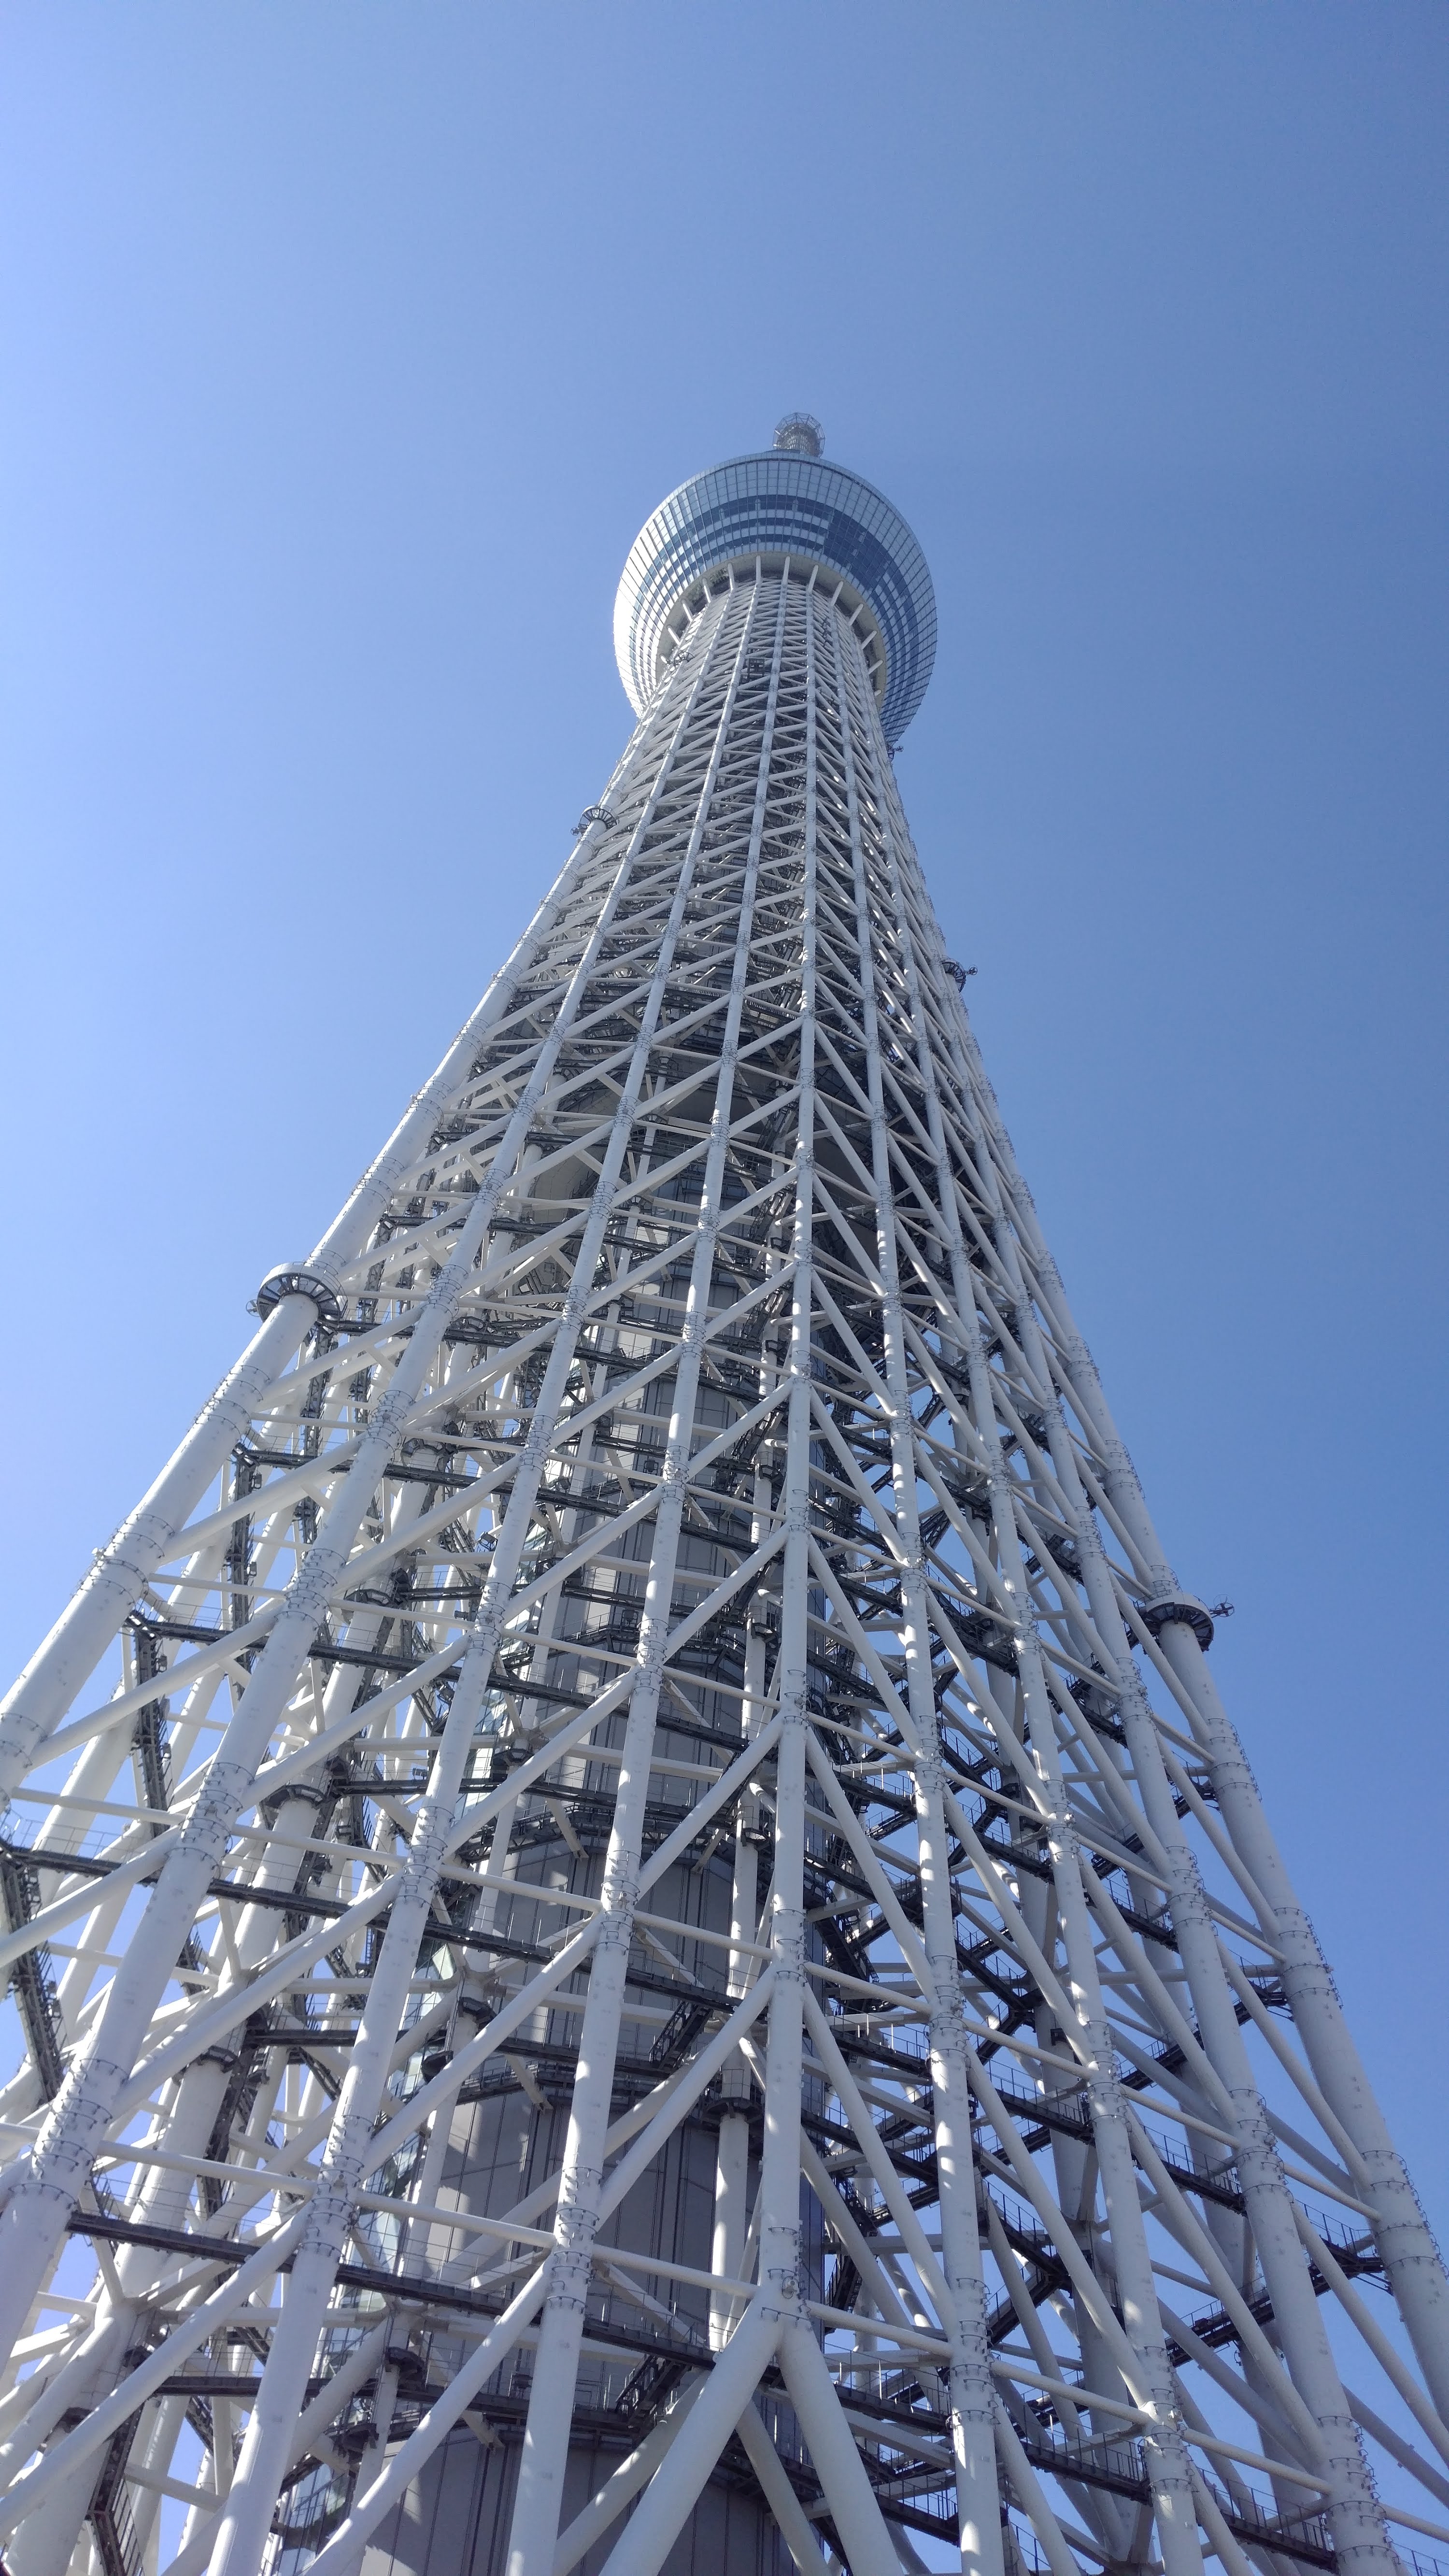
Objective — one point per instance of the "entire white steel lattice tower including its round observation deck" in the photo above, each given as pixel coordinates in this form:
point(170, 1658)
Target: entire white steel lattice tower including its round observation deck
point(637, 1926)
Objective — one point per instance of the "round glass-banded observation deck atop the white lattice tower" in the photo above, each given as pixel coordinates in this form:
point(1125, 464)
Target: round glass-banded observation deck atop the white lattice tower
point(784, 504)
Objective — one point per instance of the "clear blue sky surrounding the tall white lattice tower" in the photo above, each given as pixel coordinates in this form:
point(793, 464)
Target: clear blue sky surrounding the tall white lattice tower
point(346, 352)
